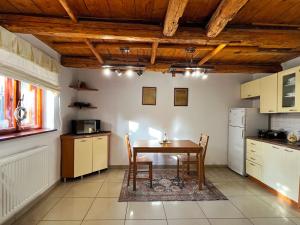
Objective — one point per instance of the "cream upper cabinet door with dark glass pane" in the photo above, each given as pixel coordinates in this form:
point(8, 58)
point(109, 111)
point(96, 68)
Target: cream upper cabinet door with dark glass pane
point(289, 90)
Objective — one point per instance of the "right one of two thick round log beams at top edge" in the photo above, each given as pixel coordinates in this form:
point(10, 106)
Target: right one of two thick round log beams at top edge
point(225, 12)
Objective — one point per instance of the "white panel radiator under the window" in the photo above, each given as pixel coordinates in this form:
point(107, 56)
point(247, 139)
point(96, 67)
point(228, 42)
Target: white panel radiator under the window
point(23, 177)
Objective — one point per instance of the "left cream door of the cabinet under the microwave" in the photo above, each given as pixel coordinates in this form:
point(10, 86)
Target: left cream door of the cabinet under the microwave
point(83, 156)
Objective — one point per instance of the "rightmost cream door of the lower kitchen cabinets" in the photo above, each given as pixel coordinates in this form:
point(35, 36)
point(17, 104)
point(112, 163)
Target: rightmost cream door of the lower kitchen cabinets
point(290, 181)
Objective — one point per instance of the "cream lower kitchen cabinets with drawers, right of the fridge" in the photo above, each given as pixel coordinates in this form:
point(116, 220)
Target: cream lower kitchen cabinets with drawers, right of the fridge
point(279, 168)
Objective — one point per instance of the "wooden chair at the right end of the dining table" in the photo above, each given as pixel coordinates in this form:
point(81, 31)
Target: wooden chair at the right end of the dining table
point(187, 160)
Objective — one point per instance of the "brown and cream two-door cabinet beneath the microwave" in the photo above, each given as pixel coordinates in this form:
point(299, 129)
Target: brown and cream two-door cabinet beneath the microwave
point(84, 154)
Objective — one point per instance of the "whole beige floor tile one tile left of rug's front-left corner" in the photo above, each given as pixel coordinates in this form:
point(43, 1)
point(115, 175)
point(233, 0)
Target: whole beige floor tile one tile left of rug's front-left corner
point(84, 190)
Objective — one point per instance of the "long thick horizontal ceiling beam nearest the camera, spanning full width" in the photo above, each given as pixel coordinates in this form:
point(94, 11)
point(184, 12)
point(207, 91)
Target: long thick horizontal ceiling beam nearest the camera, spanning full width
point(265, 38)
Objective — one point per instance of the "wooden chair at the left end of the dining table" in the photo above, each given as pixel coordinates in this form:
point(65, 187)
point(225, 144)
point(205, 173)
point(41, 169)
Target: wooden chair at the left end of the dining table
point(140, 161)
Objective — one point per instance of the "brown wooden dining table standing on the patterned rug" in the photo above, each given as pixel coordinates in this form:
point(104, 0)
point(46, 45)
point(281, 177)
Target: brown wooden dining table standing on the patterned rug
point(173, 146)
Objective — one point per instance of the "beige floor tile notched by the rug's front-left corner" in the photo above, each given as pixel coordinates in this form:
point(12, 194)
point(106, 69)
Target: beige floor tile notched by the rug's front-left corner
point(107, 208)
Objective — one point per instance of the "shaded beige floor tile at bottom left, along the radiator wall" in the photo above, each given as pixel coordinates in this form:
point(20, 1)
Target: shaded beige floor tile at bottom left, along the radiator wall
point(38, 211)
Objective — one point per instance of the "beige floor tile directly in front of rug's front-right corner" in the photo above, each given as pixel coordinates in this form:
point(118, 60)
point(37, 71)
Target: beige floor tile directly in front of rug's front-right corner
point(220, 209)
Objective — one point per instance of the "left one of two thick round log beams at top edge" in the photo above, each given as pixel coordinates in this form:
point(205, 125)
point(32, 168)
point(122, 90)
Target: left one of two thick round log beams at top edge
point(174, 12)
